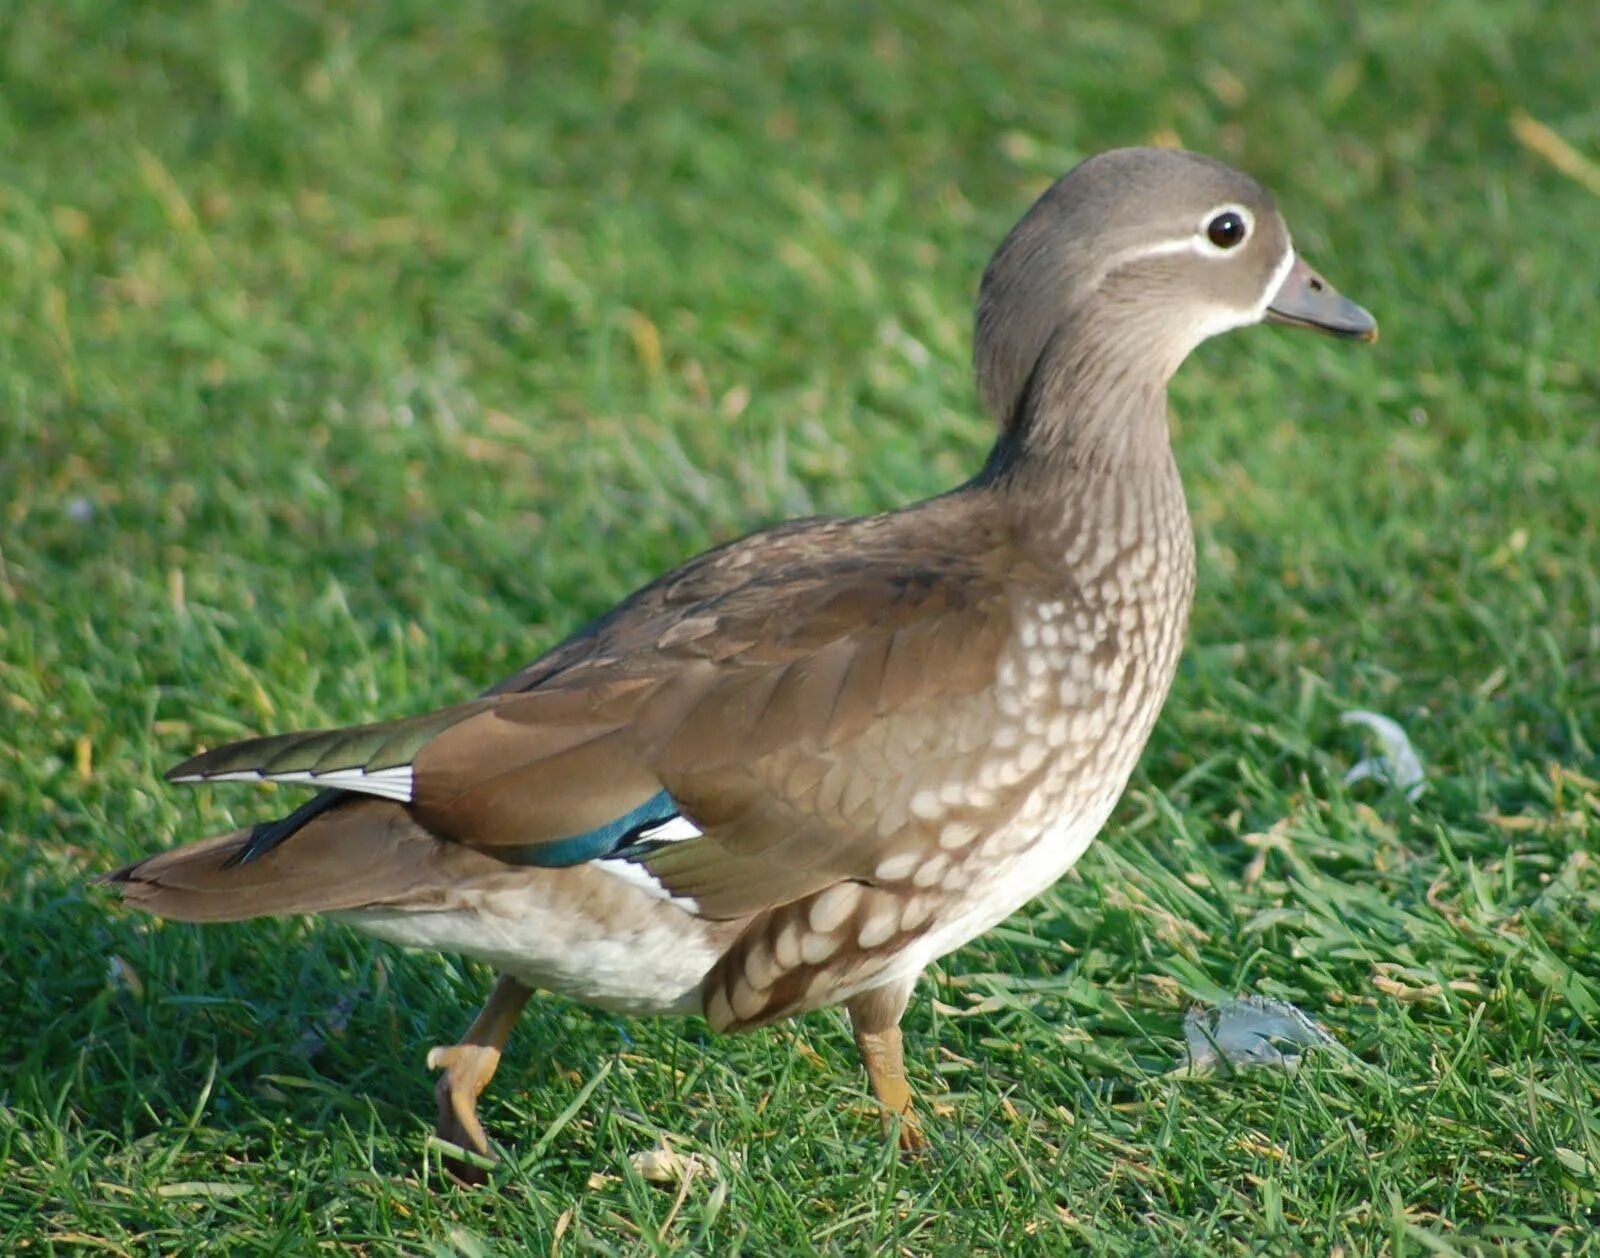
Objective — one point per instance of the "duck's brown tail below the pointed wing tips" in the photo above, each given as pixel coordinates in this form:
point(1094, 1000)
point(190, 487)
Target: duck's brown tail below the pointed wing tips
point(364, 854)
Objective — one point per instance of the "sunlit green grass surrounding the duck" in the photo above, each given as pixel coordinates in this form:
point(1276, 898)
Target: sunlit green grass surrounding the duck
point(353, 355)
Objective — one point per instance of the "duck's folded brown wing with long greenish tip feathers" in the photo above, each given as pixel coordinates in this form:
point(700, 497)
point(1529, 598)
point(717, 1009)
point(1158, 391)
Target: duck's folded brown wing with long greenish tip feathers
point(780, 691)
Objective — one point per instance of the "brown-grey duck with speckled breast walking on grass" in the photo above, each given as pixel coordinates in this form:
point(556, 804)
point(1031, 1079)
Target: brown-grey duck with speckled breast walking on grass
point(799, 769)
